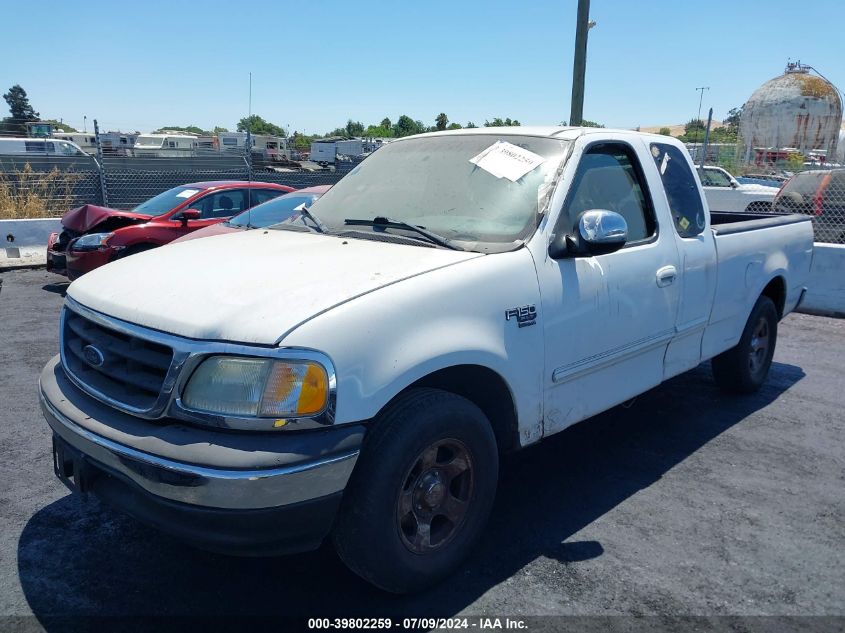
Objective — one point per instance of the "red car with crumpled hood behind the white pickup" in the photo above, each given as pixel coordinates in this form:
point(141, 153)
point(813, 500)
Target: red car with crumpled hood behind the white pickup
point(93, 236)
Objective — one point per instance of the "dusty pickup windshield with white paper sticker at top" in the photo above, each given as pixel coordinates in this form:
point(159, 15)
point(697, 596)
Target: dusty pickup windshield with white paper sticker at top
point(488, 205)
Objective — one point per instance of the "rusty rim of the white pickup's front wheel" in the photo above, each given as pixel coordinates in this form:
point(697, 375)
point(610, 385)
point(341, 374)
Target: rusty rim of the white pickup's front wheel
point(434, 496)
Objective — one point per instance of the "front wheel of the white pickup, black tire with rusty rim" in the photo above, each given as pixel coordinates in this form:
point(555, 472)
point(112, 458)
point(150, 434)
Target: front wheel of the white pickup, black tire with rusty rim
point(421, 492)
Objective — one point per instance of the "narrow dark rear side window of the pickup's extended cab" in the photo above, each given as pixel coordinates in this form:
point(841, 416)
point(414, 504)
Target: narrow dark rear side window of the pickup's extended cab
point(681, 191)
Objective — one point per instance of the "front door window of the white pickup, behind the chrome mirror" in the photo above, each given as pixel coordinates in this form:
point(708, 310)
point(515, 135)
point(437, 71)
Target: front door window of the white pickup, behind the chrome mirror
point(608, 177)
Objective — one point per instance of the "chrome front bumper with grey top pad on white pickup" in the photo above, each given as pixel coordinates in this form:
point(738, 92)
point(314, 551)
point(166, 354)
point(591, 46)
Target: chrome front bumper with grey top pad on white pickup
point(201, 467)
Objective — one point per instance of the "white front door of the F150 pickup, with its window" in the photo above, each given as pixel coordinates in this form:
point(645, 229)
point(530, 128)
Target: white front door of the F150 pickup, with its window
point(608, 319)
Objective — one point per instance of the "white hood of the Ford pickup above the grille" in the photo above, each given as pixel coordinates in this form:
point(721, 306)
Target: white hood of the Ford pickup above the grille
point(250, 286)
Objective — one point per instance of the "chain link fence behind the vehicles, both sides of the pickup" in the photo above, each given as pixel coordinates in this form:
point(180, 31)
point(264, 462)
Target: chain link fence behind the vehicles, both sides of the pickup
point(48, 185)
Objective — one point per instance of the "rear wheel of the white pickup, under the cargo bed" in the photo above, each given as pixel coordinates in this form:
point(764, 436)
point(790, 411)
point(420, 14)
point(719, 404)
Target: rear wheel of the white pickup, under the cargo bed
point(743, 368)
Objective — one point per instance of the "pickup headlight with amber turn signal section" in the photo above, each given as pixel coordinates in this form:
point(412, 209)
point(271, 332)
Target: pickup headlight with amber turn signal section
point(257, 387)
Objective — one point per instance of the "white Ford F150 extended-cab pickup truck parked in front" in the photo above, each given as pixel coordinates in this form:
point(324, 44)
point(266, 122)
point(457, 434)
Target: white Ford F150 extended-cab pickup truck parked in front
point(356, 372)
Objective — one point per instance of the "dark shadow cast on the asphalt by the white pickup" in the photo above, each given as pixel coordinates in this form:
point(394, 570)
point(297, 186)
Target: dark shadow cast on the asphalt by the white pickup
point(88, 560)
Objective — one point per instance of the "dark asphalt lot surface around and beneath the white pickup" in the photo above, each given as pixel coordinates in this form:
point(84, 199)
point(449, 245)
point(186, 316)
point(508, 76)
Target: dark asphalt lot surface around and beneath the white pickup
point(688, 503)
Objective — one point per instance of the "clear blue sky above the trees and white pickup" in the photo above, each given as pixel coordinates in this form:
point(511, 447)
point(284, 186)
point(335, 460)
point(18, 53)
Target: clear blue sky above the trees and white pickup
point(144, 65)
